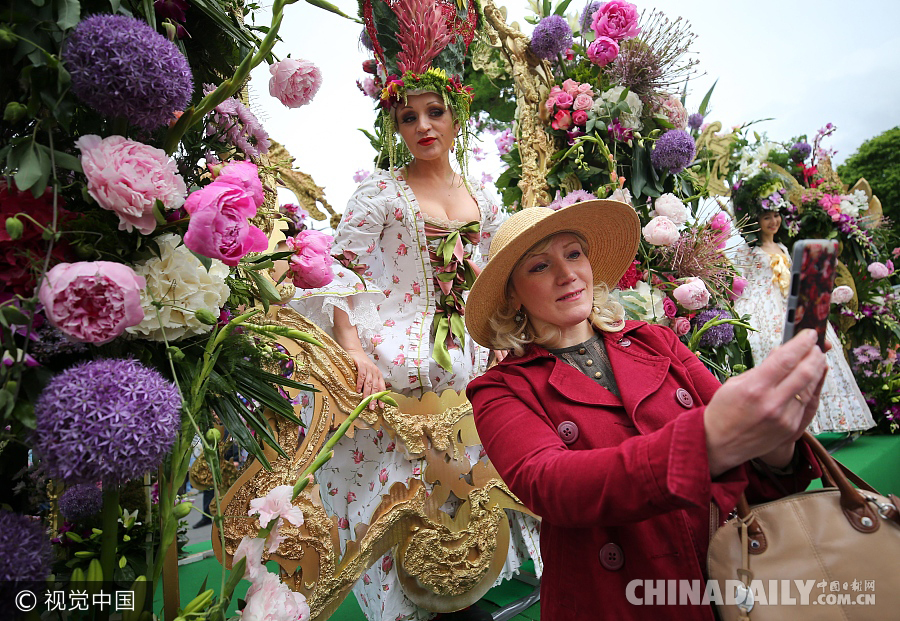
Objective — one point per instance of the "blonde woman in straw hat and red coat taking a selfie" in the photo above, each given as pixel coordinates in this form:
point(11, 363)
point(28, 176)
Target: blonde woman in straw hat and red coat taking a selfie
point(613, 431)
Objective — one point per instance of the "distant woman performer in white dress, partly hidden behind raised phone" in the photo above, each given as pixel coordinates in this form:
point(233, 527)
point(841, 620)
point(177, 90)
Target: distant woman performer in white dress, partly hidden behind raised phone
point(766, 265)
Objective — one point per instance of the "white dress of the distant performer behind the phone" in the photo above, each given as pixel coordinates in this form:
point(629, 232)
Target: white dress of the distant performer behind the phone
point(841, 406)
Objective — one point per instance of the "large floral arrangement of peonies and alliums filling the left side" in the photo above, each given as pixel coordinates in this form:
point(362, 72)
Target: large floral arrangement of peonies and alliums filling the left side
point(136, 210)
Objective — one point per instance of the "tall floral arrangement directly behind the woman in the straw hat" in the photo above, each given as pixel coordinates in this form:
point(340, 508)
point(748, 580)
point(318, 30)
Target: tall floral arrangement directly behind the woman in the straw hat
point(621, 132)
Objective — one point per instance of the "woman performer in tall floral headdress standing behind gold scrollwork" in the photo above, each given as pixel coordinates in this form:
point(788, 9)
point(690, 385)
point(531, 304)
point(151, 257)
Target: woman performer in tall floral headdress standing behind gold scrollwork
point(410, 244)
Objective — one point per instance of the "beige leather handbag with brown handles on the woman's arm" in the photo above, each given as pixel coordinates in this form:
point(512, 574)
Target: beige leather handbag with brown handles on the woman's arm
point(829, 554)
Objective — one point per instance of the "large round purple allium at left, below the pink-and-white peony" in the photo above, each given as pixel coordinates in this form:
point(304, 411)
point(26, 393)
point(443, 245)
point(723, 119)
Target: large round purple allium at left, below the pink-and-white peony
point(105, 420)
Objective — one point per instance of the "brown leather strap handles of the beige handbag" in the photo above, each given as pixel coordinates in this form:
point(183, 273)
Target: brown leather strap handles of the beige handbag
point(854, 504)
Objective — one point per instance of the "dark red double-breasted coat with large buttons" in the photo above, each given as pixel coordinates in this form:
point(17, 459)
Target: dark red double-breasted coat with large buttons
point(622, 485)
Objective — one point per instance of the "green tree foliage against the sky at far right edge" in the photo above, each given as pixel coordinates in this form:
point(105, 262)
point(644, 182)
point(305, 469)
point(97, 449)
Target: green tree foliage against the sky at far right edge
point(878, 160)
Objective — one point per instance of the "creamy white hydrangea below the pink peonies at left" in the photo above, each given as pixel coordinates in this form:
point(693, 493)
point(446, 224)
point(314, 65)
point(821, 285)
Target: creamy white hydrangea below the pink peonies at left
point(178, 280)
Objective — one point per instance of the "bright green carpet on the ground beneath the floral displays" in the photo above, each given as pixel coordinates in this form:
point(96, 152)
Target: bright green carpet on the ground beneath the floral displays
point(875, 458)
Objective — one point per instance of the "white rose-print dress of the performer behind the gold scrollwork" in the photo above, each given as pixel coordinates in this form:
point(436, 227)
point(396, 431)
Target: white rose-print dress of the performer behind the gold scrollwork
point(383, 237)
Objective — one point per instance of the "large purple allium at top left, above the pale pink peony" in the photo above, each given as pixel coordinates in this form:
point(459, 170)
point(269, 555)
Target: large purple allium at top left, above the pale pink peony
point(121, 67)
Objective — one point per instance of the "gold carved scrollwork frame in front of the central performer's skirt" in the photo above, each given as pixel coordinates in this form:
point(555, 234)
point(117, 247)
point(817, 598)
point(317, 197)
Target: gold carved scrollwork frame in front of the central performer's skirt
point(445, 563)
